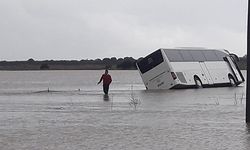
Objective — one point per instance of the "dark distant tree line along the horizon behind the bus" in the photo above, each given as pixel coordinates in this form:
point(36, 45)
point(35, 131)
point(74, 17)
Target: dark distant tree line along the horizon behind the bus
point(113, 63)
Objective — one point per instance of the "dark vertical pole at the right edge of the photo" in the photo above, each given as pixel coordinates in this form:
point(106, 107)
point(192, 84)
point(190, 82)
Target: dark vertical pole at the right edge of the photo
point(248, 70)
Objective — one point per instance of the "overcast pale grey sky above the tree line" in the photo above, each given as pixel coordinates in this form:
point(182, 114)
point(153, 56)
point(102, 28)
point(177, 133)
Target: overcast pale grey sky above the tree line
point(90, 29)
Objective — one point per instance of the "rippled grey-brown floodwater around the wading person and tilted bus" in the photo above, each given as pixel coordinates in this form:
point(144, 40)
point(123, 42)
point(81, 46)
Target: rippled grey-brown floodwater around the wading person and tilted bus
point(66, 110)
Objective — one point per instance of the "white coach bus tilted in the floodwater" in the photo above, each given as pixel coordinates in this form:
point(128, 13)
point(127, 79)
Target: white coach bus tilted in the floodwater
point(184, 68)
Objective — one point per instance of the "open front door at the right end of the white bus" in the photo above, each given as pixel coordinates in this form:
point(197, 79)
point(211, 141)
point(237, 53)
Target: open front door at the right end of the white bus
point(235, 69)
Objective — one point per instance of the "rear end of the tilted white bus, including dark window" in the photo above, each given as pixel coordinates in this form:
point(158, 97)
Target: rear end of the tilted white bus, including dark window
point(156, 71)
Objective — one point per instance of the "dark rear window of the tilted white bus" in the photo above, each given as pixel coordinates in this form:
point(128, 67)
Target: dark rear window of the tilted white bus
point(150, 61)
